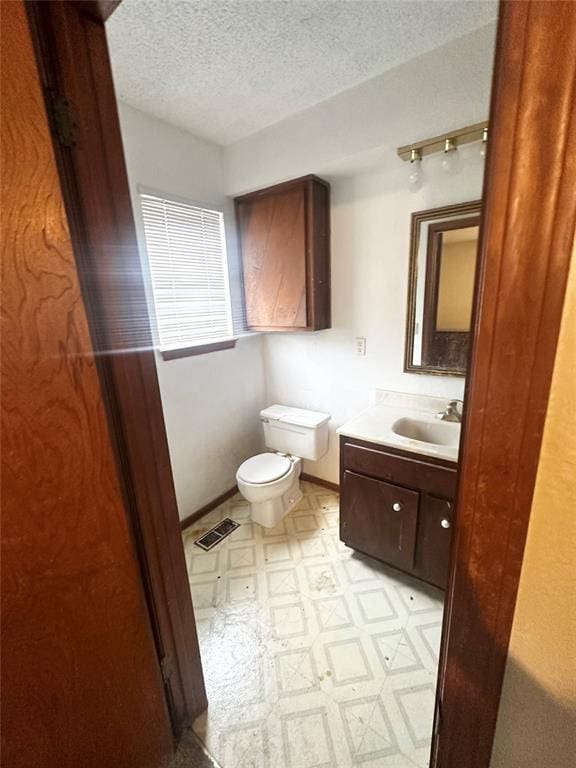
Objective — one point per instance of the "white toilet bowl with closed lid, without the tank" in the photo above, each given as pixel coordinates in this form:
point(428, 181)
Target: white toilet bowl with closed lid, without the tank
point(270, 482)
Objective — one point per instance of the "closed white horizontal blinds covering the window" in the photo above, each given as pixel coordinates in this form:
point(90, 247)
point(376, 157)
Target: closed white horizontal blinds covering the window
point(187, 256)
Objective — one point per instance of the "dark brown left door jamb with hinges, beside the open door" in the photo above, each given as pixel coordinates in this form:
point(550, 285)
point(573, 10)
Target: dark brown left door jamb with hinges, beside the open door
point(73, 60)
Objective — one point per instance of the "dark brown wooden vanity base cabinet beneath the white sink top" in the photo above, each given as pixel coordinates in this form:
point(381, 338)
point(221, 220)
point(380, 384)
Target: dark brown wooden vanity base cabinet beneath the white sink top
point(397, 507)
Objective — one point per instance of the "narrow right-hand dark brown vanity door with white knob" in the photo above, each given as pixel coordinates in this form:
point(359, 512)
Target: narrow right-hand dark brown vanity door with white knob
point(434, 537)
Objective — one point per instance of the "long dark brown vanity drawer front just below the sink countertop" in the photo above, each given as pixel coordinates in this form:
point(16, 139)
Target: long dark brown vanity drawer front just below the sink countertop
point(414, 473)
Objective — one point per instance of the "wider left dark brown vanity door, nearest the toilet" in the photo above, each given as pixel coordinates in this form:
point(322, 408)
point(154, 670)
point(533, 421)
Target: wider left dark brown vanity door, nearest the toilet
point(379, 519)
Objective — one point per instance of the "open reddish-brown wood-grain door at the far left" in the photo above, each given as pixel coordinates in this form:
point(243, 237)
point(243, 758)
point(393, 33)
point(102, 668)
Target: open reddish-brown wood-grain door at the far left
point(80, 678)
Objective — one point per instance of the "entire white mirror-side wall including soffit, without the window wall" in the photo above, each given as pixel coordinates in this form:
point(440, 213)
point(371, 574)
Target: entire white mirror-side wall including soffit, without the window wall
point(350, 140)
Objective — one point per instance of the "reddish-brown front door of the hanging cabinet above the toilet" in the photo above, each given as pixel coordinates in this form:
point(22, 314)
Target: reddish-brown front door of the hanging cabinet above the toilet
point(272, 231)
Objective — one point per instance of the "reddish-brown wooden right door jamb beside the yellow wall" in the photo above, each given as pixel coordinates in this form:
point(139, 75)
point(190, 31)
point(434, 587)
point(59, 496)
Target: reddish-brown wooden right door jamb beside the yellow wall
point(526, 241)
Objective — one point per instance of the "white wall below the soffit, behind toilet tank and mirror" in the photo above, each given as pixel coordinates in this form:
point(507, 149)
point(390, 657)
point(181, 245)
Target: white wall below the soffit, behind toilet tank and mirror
point(370, 243)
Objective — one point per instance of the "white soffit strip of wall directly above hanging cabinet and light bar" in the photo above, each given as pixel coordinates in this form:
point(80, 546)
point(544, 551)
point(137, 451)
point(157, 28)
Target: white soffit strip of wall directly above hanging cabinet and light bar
point(447, 88)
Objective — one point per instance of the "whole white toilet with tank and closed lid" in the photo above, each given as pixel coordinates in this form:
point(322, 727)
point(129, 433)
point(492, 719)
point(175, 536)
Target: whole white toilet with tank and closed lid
point(271, 481)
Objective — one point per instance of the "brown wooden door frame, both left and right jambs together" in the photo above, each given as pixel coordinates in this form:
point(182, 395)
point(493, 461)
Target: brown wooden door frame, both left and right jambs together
point(526, 238)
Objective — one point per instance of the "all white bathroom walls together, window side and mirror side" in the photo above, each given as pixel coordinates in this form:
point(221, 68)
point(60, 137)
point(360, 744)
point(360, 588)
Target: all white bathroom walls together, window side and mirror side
point(211, 402)
